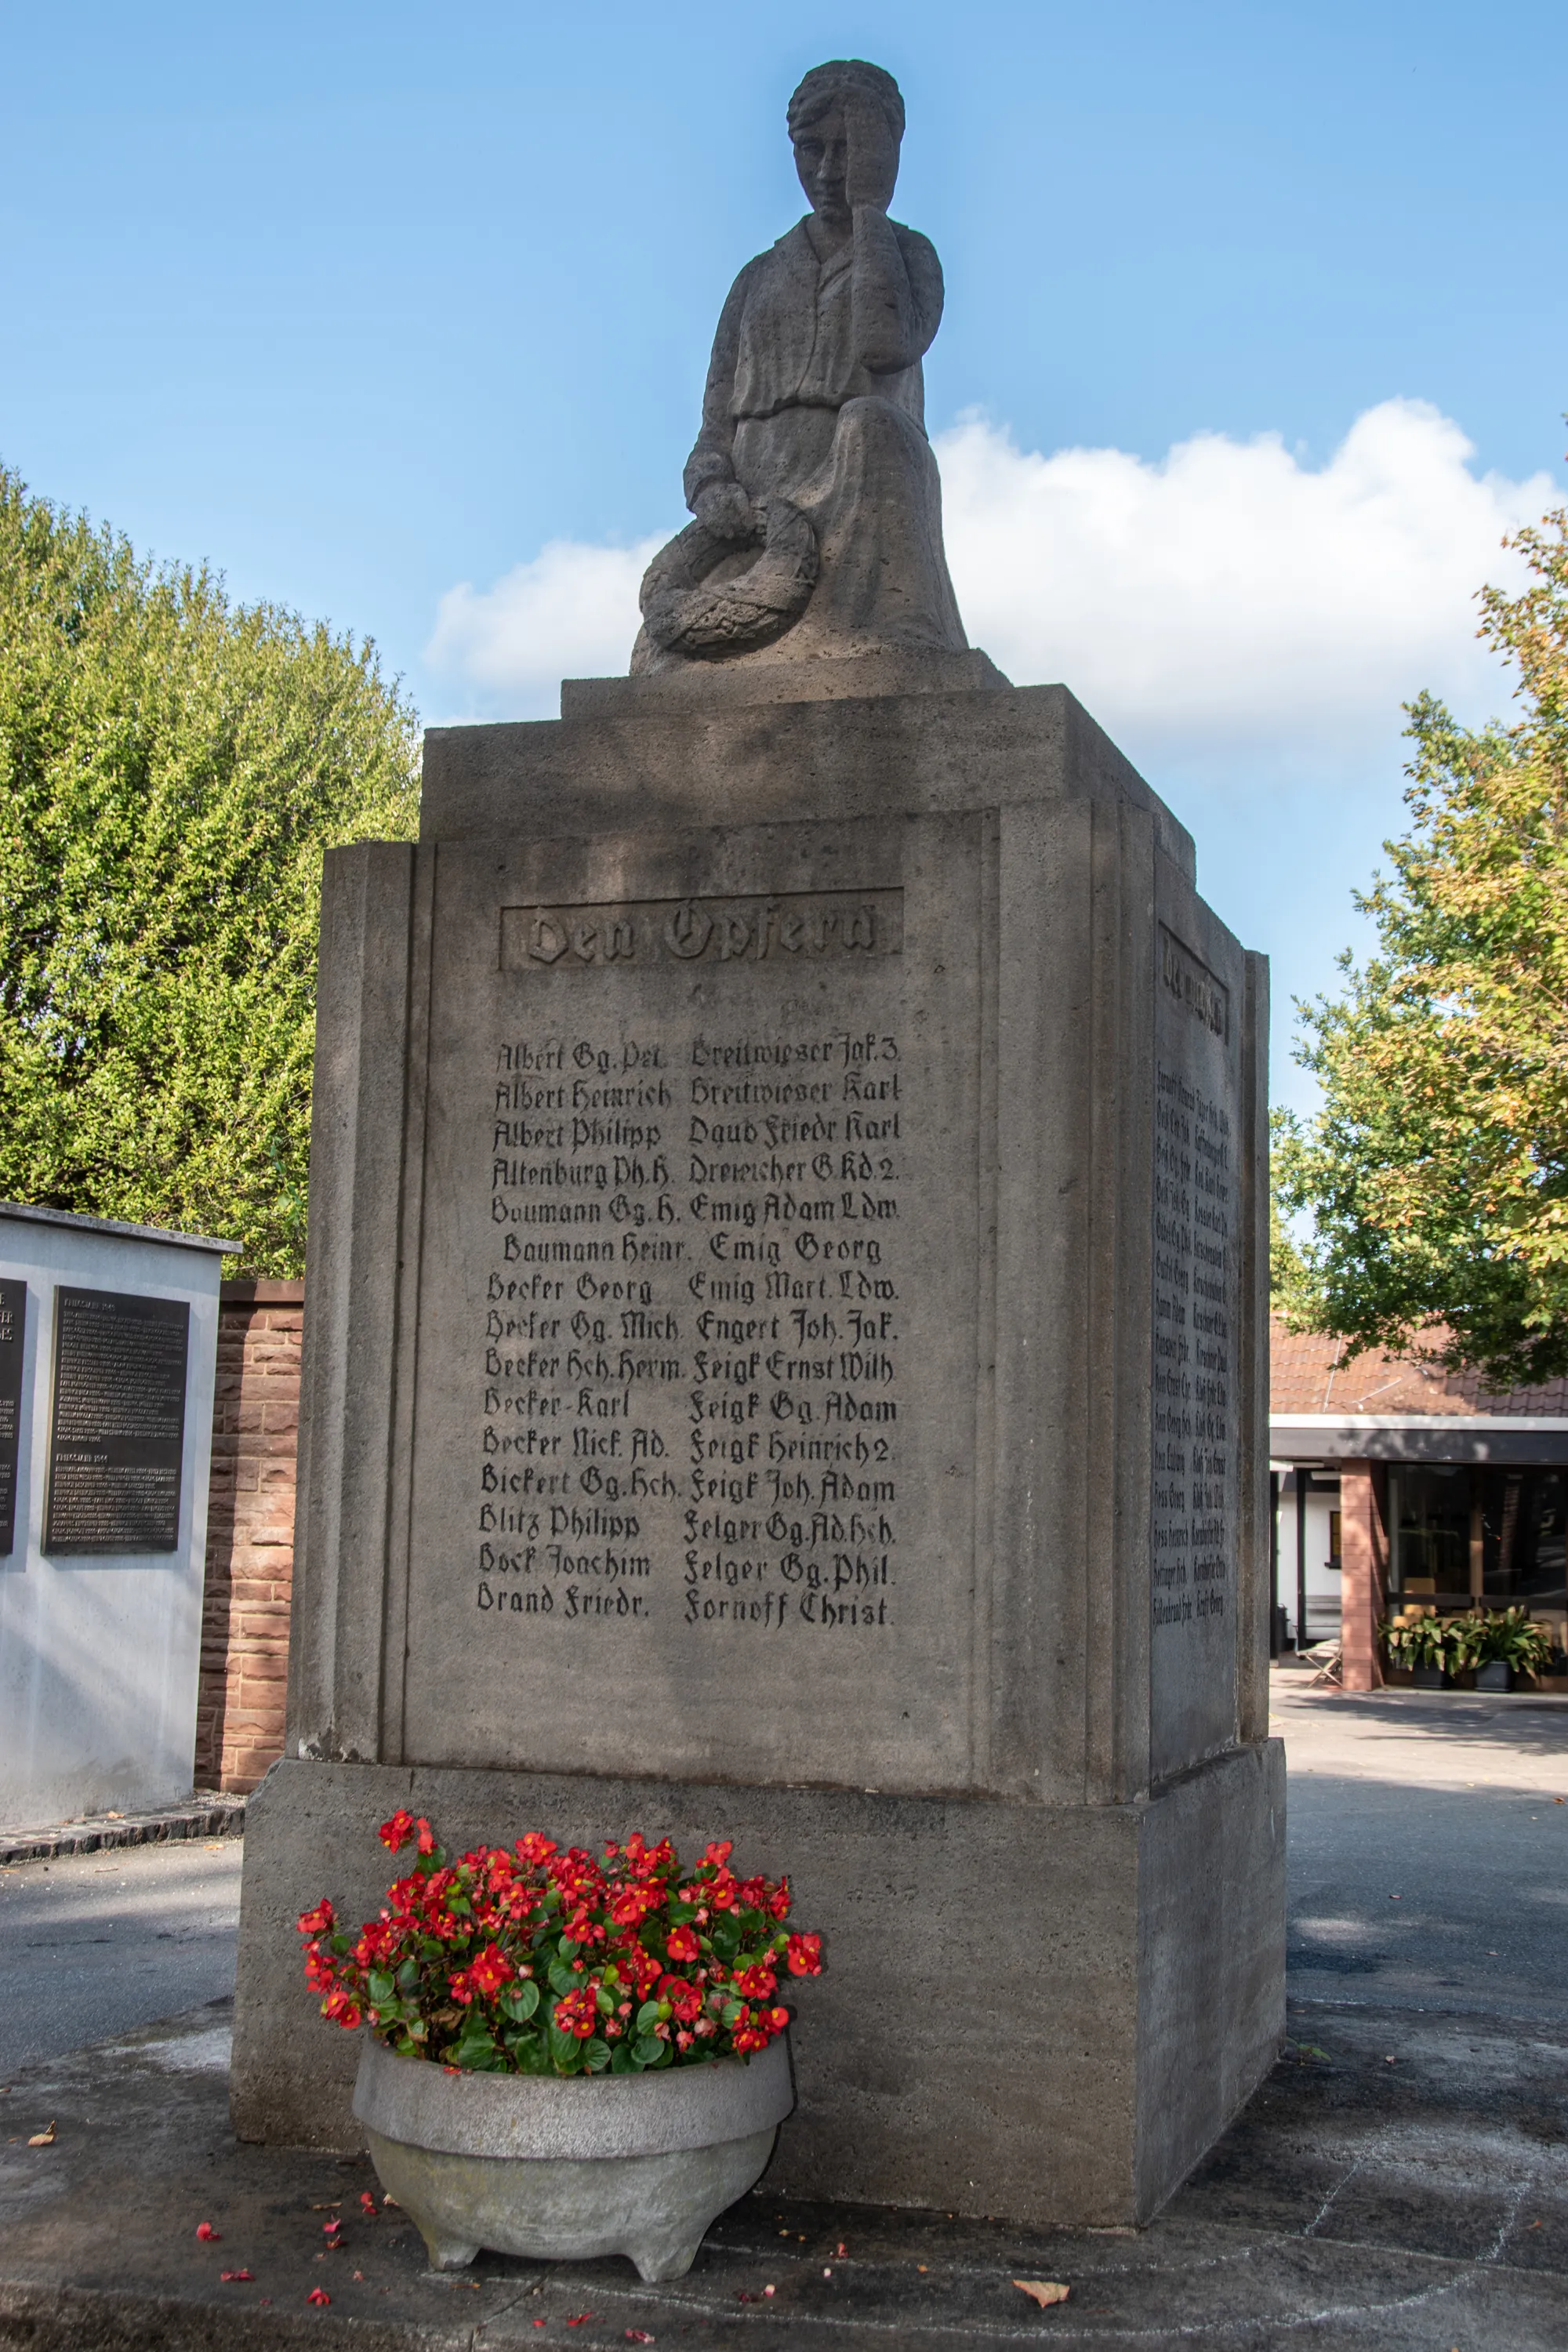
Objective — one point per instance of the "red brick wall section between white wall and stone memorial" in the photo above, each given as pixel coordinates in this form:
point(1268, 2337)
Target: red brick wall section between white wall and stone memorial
point(250, 1535)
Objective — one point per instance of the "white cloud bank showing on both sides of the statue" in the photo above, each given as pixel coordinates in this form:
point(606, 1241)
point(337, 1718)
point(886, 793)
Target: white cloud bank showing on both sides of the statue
point(1226, 613)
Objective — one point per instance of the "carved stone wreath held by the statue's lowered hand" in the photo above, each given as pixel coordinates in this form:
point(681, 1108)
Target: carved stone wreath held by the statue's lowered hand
point(690, 615)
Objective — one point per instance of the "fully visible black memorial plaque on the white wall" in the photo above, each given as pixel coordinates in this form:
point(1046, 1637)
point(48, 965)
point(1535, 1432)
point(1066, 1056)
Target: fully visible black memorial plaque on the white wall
point(119, 1422)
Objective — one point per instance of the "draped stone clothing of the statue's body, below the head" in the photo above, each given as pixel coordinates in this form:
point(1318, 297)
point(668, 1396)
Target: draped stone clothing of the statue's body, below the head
point(817, 394)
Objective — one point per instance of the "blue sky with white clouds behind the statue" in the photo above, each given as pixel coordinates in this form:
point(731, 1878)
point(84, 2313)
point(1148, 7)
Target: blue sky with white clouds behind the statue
point(366, 305)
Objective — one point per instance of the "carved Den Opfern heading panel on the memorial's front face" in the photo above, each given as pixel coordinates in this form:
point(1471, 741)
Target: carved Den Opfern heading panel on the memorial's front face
point(702, 930)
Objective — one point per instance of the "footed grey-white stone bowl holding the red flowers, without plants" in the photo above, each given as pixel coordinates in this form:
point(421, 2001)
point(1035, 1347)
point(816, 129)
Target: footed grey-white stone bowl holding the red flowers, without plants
point(570, 2167)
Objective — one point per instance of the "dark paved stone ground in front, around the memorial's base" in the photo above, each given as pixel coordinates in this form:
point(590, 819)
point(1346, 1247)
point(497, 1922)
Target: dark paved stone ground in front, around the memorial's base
point(1358, 2205)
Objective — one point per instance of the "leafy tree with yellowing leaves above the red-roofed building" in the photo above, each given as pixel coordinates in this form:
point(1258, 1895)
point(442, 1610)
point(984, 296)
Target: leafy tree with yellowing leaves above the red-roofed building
point(1438, 1172)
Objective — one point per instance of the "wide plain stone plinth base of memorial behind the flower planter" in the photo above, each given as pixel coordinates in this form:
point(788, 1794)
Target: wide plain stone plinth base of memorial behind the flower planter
point(1031, 2012)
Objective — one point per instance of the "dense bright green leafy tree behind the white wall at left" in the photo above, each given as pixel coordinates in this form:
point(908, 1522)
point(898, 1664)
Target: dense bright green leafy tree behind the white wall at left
point(173, 770)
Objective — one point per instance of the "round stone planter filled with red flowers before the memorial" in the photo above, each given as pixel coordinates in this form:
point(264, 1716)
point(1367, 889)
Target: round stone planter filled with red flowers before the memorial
point(565, 2057)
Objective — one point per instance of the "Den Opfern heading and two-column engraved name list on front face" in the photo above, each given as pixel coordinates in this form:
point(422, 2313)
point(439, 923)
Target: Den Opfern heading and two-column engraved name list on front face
point(692, 1325)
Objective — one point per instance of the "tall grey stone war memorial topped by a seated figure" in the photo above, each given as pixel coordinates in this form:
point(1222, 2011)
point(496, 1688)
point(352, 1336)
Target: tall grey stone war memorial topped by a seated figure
point(786, 1316)
